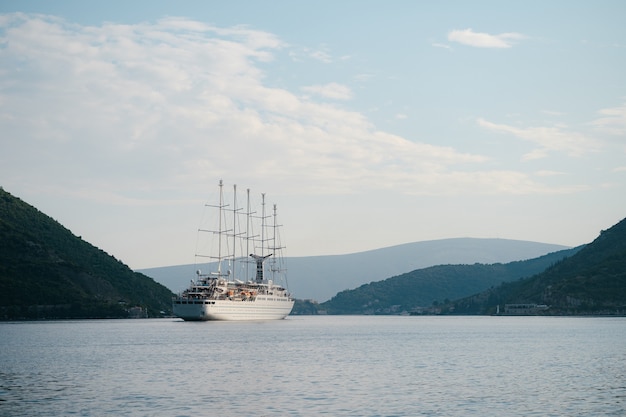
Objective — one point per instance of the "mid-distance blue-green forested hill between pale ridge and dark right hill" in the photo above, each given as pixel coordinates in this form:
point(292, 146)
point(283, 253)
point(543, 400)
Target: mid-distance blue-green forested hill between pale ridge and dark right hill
point(421, 289)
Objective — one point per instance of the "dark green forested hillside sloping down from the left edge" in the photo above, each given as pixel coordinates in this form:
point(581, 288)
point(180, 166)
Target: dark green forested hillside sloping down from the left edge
point(47, 272)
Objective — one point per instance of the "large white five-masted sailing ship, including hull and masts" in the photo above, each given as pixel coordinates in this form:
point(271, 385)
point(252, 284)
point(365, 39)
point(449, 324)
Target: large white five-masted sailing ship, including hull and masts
point(249, 279)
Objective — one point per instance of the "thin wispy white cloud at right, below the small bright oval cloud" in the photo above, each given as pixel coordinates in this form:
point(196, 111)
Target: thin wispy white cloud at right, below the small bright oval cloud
point(549, 139)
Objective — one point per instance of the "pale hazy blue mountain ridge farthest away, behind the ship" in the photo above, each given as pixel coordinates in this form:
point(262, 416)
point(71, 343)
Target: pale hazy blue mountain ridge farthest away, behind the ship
point(321, 277)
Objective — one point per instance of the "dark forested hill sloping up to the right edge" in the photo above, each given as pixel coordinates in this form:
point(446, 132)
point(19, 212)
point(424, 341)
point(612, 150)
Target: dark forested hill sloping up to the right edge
point(591, 282)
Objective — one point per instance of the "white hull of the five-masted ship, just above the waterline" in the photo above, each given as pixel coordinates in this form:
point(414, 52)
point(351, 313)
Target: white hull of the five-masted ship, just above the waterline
point(259, 309)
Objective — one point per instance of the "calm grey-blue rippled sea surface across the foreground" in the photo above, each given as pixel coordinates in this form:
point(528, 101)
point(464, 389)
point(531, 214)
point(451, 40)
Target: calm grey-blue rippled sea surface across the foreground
point(310, 366)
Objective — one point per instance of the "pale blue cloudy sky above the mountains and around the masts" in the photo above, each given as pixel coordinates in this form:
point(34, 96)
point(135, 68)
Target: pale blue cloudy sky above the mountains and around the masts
point(369, 123)
